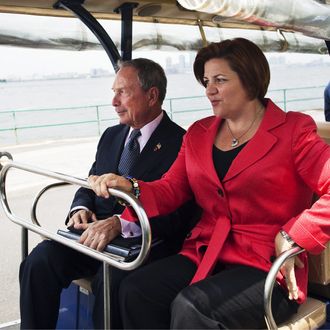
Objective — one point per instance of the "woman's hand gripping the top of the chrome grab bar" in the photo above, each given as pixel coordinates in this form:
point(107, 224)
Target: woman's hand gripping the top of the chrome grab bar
point(100, 184)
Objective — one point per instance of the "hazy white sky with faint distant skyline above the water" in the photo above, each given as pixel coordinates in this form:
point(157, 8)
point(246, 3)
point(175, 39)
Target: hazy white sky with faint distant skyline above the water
point(24, 63)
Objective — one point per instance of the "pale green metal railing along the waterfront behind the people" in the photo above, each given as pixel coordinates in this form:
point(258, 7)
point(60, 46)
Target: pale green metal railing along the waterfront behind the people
point(25, 124)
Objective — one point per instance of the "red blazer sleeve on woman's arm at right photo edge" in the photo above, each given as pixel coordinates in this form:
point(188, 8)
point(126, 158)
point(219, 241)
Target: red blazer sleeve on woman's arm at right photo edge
point(311, 228)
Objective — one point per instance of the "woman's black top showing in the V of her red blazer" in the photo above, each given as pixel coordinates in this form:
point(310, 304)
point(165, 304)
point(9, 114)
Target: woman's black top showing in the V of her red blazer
point(223, 159)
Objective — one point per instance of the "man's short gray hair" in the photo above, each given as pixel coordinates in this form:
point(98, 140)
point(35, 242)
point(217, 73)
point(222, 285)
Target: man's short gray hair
point(150, 74)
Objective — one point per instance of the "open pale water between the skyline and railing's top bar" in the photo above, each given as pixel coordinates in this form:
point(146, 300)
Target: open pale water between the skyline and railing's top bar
point(92, 91)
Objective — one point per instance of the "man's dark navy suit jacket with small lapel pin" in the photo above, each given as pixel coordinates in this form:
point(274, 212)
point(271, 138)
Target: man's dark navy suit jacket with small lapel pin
point(155, 159)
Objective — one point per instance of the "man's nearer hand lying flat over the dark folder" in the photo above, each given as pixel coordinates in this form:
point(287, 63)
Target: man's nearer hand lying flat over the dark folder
point(100, 233)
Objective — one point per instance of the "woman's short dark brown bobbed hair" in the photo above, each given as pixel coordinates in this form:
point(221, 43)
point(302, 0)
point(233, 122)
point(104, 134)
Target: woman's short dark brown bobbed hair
point(244, 57)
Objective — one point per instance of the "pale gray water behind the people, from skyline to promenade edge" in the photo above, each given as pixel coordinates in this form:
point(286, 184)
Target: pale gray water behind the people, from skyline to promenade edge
point(85, 92)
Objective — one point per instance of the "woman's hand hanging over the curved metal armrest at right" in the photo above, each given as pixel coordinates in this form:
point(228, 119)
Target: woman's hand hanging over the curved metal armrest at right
point(281, 245)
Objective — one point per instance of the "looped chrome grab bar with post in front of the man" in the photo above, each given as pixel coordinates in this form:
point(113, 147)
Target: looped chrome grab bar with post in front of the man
point(107, 259)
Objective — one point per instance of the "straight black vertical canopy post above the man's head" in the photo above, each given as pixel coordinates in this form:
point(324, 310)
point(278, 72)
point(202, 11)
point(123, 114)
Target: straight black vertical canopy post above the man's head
point(126, 10)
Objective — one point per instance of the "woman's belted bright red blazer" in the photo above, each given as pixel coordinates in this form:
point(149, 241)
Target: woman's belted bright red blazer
point(269, 186)
